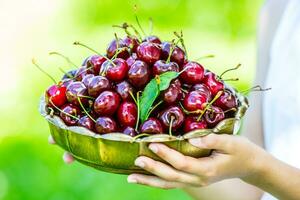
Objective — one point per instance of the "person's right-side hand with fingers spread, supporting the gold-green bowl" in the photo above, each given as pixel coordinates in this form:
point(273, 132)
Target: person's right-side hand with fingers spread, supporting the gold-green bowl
point(233, 156)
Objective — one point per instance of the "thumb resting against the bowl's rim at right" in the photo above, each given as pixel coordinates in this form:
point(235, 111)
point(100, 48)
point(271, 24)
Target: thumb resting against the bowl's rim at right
point(221, 142)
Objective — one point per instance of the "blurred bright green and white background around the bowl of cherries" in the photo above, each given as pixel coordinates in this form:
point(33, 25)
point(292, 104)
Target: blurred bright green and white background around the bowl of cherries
point(32, 169)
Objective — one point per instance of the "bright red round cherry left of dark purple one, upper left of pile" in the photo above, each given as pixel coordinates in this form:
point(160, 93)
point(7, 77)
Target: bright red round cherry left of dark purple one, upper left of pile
point(117, 71)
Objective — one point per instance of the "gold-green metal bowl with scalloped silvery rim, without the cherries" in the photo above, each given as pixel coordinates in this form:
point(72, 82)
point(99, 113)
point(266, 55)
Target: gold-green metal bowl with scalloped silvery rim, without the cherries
point(116, 152)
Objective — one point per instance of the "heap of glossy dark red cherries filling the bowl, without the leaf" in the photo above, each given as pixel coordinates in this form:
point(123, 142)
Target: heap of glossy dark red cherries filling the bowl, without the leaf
point(101, 95)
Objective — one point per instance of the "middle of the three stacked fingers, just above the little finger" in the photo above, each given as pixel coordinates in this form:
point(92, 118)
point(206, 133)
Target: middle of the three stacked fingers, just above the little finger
point(166, 172)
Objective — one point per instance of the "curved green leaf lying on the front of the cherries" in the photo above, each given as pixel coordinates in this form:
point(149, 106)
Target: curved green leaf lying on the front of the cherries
point(152, 90)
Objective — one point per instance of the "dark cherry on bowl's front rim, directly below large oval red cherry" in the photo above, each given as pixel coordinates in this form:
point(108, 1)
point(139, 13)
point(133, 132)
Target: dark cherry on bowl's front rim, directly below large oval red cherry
point(105, 125)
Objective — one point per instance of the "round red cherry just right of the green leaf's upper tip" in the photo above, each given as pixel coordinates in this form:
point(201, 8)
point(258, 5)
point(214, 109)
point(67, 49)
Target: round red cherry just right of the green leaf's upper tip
point(193, 73)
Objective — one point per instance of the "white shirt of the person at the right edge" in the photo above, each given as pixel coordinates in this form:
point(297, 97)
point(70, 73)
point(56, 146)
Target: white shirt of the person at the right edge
point(281, 105)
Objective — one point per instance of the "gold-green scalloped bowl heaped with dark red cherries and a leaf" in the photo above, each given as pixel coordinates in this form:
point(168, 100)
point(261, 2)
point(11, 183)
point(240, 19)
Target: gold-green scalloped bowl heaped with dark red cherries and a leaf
point(141, 90)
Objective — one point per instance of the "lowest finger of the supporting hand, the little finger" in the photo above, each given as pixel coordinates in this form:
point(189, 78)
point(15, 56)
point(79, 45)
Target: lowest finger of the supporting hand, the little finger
point(153, 181)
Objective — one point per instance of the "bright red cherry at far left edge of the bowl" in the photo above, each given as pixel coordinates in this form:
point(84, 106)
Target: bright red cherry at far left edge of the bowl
point(56, 95)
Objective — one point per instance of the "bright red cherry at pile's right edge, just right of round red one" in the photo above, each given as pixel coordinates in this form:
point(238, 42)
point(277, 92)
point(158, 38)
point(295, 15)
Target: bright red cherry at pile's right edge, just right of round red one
point(211, 81)
